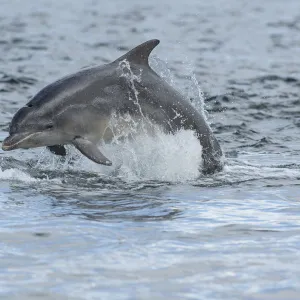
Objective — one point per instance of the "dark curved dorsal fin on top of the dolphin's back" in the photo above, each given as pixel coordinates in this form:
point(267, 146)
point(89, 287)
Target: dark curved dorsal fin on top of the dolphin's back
point(140, 54)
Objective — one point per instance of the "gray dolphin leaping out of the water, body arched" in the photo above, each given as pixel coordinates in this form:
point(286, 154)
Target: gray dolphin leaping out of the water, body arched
point(77, 109)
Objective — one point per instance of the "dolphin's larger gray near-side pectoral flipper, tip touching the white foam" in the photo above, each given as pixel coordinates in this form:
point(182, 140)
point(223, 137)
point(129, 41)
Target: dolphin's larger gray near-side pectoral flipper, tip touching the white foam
point(91, 151)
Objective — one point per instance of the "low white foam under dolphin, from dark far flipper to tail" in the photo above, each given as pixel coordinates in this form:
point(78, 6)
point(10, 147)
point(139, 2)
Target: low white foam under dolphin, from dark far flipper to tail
point(159, 156)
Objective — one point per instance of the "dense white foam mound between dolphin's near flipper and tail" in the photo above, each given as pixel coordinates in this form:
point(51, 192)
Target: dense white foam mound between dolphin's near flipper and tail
point(157, 157)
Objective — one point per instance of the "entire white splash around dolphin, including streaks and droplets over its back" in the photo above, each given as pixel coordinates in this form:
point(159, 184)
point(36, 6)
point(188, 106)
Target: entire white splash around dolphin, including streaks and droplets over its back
point(139, 150)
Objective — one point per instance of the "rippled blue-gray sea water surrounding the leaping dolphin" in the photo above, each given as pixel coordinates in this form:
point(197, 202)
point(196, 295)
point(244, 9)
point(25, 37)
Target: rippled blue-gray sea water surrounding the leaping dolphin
point(153, 227)
